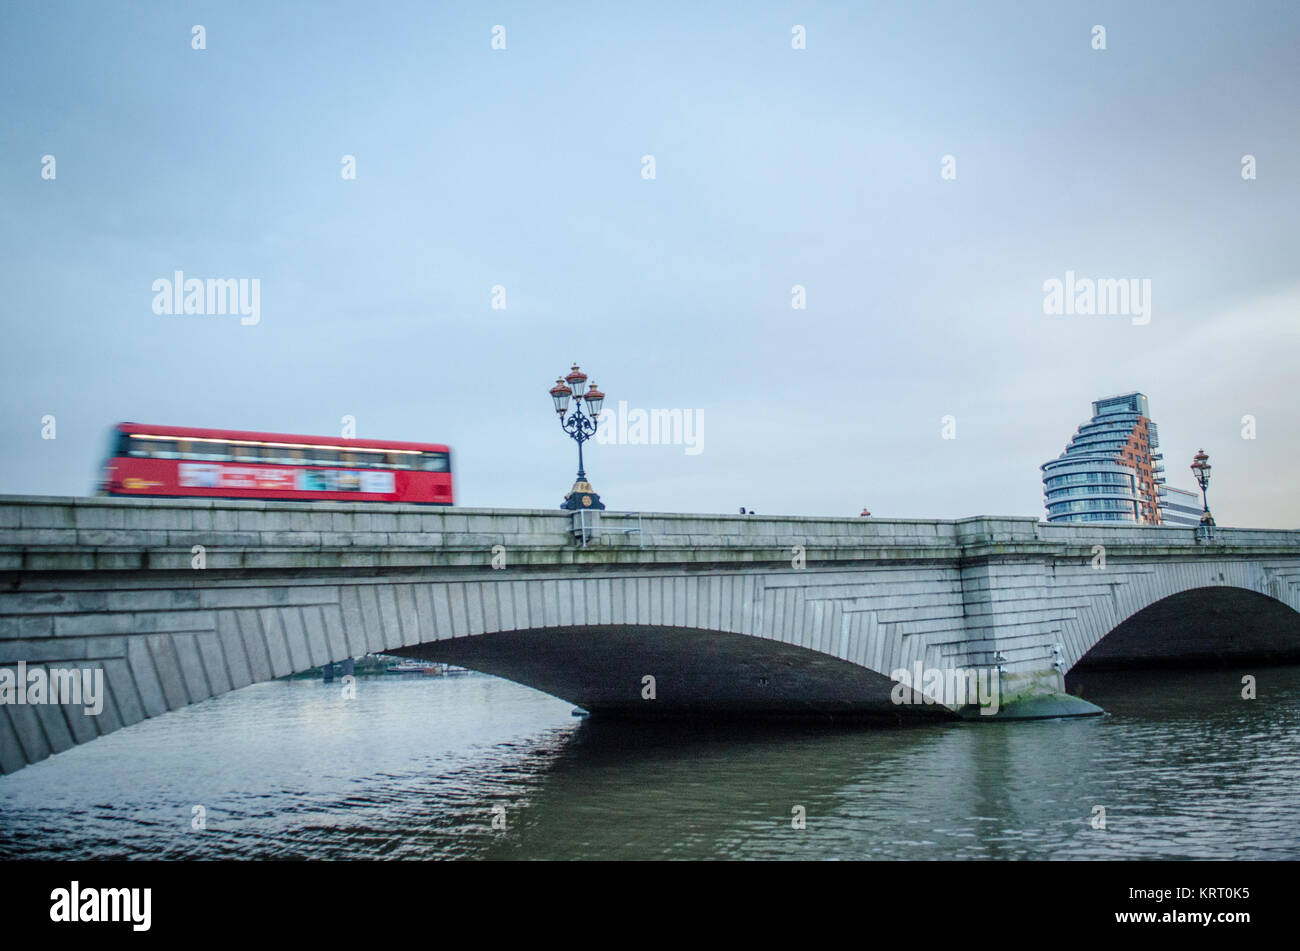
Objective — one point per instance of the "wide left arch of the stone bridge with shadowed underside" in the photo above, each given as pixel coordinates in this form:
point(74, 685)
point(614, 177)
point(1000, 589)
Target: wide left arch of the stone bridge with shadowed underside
point(748, 641)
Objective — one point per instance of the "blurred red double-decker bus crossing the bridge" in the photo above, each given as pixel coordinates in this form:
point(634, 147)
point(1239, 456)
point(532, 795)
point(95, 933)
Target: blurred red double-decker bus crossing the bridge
point(185, 462)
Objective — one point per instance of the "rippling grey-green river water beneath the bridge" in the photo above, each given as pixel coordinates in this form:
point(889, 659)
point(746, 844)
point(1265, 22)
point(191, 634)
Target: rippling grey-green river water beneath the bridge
point(426, 767)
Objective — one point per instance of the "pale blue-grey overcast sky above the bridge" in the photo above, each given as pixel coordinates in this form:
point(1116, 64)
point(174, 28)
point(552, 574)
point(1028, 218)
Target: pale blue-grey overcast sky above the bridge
point(774, 167)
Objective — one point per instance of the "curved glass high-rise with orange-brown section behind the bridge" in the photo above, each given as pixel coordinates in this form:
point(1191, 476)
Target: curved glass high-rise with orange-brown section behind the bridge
point(1112, 474)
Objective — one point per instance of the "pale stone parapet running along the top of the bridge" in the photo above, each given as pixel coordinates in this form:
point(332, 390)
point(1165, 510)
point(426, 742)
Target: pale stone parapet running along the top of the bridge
point(50, 535)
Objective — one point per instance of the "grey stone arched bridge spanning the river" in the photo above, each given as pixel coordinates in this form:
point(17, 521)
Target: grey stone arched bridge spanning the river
point(179, 601)
